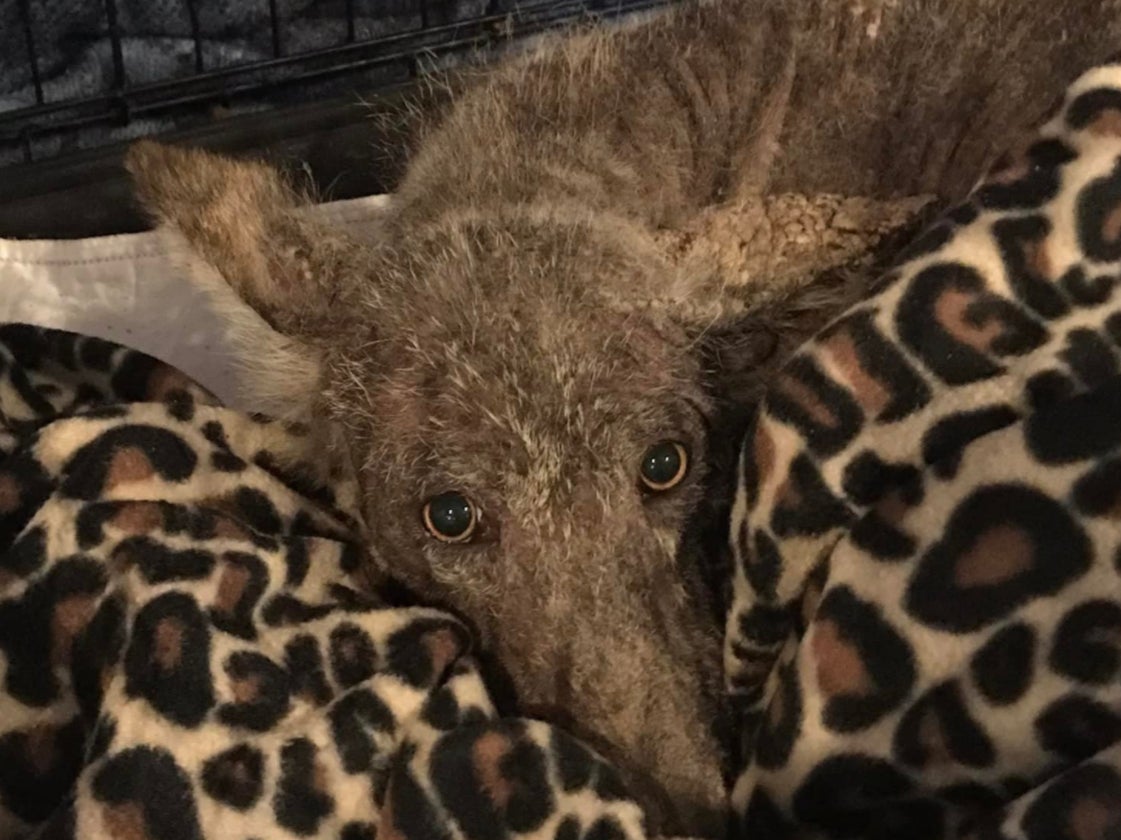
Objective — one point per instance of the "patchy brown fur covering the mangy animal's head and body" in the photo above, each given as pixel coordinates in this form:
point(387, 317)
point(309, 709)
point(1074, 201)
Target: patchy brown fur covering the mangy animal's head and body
point(518, 330)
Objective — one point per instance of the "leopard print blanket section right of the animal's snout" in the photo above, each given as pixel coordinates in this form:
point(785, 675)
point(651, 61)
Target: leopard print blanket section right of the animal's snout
point(938, 476)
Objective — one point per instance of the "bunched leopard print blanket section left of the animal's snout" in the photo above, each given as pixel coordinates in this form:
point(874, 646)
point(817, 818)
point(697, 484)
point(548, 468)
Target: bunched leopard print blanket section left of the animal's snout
point(184, 656)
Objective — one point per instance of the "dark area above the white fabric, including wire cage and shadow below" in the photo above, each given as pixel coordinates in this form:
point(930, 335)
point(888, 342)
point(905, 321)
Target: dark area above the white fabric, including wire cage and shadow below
point(322, 86)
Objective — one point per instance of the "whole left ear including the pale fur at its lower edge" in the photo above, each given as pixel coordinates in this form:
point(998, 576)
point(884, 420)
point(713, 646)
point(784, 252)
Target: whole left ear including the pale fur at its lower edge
point(247, 239)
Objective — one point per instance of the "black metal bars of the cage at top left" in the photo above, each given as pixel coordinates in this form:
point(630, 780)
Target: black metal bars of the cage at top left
point(124, 103)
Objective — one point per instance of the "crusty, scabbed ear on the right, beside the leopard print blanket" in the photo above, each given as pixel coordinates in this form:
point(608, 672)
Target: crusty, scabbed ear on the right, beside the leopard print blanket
point(753, 293)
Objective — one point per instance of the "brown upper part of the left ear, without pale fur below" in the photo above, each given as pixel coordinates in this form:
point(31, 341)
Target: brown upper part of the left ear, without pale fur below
point(243, 220)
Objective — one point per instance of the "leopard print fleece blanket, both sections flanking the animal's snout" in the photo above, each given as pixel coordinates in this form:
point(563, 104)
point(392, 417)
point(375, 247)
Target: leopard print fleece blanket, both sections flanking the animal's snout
point(925, 638)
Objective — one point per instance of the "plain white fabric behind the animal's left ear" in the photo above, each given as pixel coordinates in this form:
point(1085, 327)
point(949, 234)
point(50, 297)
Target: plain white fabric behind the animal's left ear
point(126, 289)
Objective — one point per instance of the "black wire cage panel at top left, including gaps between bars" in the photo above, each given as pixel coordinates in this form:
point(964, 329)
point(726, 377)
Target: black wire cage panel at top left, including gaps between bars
point(82, 75)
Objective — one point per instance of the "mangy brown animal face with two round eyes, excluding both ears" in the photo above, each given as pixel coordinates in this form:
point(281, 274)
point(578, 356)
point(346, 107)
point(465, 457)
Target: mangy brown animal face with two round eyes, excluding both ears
point(529, 457)
